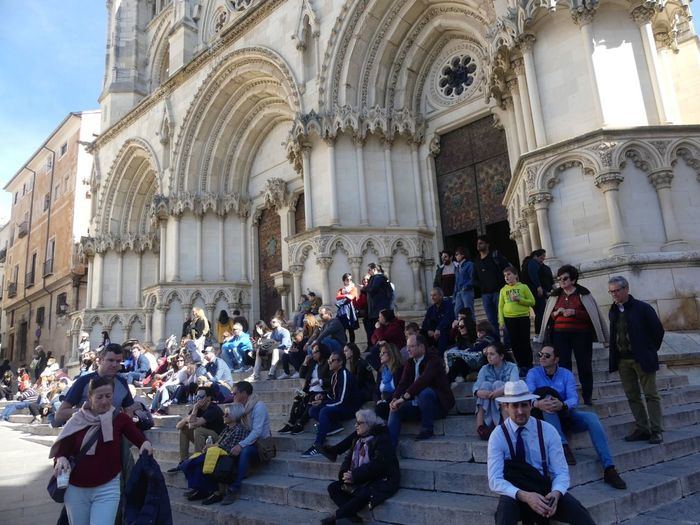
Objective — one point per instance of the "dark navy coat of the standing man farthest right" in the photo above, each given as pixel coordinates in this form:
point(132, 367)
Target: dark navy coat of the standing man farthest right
point(645, 331)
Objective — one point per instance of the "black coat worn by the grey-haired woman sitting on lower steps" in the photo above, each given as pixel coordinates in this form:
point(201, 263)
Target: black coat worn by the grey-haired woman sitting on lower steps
point(382, 474)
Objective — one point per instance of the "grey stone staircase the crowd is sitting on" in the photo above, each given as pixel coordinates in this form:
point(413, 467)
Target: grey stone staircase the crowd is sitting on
point(444, 479)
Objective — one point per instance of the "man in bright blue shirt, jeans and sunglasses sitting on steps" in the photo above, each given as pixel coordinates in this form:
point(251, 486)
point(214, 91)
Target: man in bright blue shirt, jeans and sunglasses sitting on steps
point(550, 377)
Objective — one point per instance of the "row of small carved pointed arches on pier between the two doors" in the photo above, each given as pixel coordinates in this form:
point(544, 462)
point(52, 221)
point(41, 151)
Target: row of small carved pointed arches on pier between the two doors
point(358, 245)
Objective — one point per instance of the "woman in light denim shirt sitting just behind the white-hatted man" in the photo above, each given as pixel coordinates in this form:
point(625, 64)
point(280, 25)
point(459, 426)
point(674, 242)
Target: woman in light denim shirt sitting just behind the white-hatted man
point(489, 385)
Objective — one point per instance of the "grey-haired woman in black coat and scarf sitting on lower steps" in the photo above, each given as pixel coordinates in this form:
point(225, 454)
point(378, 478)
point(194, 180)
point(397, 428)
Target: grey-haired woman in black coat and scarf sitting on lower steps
point(369, 474)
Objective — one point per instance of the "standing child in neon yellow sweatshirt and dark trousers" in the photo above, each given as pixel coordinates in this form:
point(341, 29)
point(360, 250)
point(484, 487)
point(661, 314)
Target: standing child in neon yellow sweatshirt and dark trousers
point(514, 303)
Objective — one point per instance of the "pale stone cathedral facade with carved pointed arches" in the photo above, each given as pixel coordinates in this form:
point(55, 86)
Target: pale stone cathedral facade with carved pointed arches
point(252, 150)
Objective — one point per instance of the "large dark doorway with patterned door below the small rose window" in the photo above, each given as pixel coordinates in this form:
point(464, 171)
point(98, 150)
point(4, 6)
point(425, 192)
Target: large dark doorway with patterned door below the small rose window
point(473, 173)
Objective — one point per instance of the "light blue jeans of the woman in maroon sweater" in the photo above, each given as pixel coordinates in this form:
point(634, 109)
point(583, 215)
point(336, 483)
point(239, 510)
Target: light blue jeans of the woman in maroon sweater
point(87, 506)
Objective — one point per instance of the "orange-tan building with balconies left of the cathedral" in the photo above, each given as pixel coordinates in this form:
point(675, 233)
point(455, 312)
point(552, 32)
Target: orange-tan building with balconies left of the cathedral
point(43, 276)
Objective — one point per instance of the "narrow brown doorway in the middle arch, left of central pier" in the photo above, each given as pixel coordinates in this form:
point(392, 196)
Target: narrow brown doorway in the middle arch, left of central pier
point(270, 261)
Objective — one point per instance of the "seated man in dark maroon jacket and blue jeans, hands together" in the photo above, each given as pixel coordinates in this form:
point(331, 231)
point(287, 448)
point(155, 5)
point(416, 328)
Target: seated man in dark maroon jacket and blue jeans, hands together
point(423, 393)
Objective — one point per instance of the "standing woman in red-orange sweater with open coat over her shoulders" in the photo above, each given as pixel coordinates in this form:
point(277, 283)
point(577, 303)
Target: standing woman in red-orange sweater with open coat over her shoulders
point(573, 322)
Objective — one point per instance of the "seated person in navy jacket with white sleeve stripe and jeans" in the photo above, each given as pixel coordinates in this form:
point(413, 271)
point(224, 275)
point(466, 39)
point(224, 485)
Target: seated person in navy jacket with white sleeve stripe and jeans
point(339, 404)
